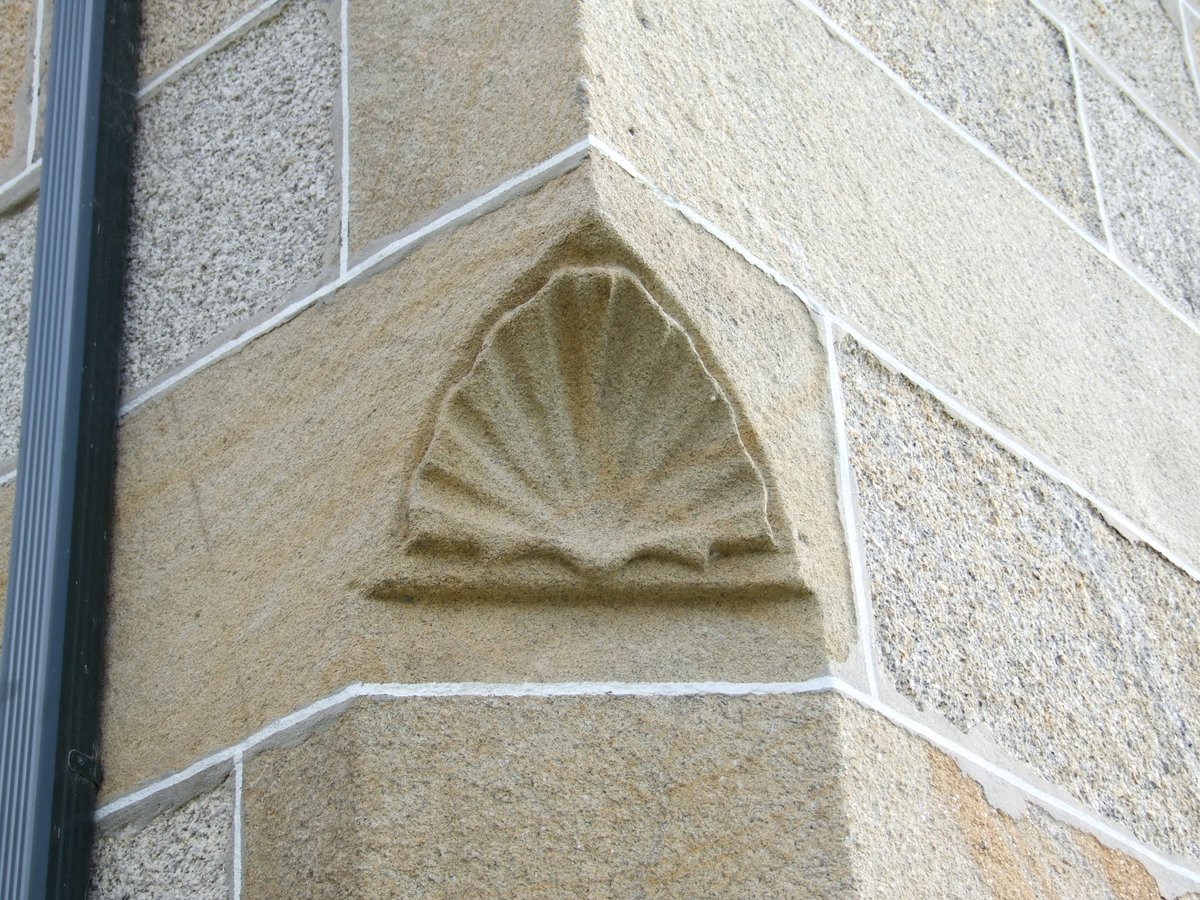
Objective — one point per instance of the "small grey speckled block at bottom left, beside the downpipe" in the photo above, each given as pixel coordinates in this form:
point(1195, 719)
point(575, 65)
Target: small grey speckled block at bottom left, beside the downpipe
point(183, 854)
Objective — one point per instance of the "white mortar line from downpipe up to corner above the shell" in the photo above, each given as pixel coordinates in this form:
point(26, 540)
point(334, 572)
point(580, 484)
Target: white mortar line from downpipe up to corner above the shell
point(515, 187)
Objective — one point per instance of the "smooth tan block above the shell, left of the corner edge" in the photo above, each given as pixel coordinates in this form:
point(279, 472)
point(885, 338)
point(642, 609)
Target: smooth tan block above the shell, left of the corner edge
point(448, 99)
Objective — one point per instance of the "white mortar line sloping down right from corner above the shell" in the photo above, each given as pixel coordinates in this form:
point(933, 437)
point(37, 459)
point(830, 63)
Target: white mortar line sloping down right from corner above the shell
point(1119, 520)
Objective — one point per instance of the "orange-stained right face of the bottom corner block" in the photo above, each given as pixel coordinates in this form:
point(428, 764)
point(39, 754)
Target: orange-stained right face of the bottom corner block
point(921, 827)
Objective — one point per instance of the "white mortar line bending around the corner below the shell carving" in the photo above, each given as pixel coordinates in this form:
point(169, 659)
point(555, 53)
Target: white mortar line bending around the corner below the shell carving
point(292, 727)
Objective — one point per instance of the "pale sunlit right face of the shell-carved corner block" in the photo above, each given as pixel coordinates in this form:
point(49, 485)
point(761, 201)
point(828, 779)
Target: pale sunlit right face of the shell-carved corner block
point(765, 344)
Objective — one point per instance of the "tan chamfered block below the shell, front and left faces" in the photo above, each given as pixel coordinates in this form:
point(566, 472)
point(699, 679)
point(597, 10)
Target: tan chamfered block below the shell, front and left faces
point(605, 796)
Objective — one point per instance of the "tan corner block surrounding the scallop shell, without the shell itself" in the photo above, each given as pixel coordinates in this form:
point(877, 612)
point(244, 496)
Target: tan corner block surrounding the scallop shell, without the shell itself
point(250, 527)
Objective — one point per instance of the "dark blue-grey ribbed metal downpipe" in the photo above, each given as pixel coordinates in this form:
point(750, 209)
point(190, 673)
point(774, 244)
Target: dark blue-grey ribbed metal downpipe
point(58, 578)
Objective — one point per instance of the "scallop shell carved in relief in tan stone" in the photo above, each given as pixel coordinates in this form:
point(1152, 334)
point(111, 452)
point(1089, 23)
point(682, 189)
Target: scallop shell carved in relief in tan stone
point(589, 430)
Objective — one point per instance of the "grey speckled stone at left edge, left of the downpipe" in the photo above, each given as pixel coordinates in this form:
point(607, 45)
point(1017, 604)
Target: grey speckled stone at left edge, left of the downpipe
point(19, 235)
